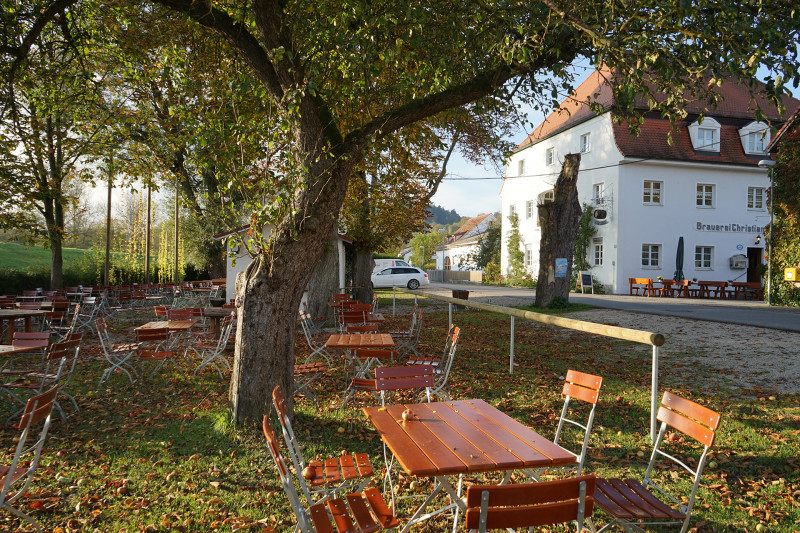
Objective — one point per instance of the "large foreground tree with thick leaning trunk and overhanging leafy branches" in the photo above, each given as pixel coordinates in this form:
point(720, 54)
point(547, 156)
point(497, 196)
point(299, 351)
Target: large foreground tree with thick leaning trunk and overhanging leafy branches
point(341, 76)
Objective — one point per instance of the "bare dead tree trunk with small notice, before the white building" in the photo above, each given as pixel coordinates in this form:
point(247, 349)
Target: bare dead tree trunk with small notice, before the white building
point(559, 221)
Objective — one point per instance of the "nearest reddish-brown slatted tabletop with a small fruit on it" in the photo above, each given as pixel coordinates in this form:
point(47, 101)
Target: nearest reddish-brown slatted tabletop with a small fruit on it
point(449, 438)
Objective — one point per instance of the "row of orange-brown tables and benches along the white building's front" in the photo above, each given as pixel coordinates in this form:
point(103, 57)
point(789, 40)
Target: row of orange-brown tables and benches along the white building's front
point(733, 290)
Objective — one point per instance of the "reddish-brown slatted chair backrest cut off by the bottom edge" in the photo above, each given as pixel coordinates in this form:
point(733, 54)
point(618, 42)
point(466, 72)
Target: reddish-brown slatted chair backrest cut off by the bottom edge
point(531, 504)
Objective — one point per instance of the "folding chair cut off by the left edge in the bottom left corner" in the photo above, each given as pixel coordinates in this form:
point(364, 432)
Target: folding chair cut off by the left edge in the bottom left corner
point(18, 475)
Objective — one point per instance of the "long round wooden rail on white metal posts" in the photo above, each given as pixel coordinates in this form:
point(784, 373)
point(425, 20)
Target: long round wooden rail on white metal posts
point(655, 340)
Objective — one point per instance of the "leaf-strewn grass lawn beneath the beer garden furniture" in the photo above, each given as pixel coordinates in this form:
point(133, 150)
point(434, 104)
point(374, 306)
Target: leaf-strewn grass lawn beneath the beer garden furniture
point(163, 456)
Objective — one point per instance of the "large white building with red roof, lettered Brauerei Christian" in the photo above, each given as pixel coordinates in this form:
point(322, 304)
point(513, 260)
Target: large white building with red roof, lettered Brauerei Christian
point(647, 192)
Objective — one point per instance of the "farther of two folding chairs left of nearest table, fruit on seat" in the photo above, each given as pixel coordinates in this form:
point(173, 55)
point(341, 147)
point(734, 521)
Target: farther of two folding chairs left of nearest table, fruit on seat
point(322, 478)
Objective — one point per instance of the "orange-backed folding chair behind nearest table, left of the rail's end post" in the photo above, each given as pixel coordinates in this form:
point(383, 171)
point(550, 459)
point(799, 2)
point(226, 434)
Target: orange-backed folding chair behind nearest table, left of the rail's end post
point(586, 388)
